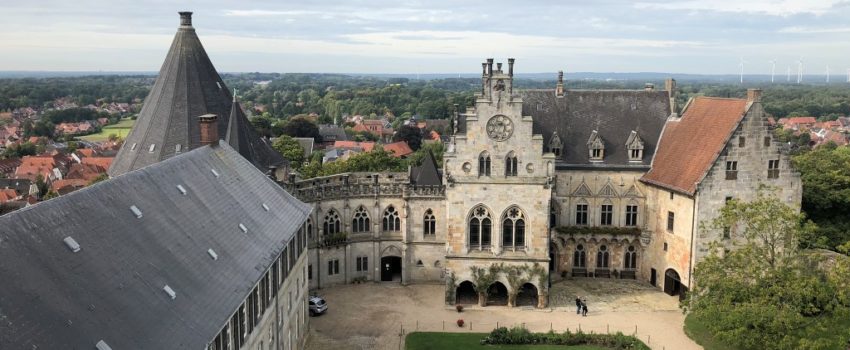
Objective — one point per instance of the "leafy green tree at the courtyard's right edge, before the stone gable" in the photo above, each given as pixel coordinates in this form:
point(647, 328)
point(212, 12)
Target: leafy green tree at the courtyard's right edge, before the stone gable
point(766, 293)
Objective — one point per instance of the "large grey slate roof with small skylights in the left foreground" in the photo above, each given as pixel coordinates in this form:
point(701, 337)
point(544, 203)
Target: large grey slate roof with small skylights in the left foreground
point(112, 289)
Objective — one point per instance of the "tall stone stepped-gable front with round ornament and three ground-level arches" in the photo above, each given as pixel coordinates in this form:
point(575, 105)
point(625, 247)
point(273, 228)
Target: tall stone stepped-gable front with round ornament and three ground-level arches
point(498, 185)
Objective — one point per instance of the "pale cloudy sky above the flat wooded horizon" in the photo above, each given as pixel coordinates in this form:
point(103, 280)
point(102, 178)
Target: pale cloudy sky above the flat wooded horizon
point(434, 36)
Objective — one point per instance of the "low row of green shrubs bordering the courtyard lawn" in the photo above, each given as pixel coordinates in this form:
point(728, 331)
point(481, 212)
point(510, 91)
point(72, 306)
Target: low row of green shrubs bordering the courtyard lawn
point(521, 335)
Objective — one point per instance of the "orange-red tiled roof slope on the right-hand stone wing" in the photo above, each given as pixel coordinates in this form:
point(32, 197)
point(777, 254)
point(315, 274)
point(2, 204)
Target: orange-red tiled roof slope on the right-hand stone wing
point(691, 144)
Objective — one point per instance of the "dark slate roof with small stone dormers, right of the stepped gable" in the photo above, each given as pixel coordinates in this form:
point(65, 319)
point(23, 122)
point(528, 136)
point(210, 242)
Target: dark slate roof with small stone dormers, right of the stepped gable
point(613, 113)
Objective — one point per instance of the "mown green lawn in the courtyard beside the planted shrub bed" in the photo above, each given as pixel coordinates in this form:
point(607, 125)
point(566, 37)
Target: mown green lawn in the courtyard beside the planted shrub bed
point(449, 341)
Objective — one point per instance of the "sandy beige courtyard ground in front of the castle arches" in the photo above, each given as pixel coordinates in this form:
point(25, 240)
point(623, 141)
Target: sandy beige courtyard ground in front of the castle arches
point(374, 315)
